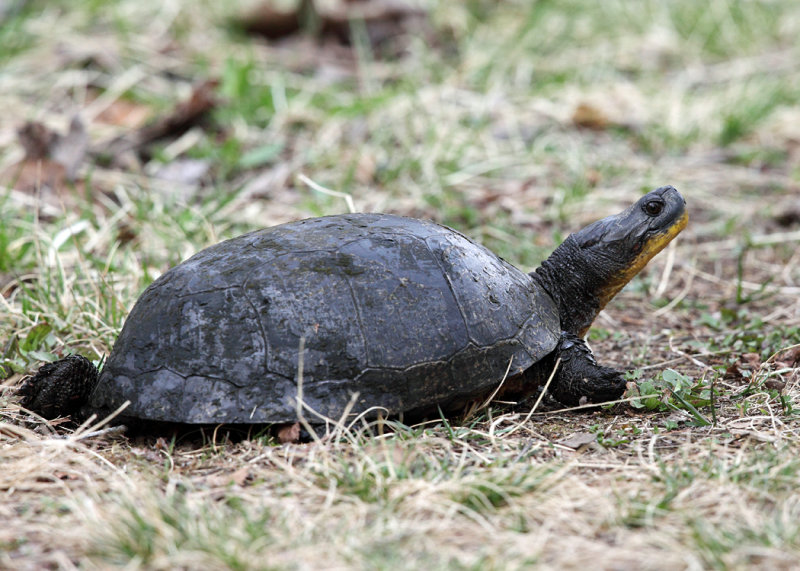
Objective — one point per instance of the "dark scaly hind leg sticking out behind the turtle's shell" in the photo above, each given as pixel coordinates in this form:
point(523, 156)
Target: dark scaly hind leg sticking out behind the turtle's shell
point(59, 388)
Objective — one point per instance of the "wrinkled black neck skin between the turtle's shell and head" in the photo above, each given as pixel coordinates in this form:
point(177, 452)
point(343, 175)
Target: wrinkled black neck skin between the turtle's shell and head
point(573, 280)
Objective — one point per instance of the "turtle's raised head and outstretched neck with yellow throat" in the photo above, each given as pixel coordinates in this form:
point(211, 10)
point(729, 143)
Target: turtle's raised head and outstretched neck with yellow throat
point(594, 264)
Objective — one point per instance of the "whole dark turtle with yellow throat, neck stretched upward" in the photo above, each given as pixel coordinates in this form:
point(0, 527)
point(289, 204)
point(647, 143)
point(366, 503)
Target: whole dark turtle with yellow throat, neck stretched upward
point(361, 314)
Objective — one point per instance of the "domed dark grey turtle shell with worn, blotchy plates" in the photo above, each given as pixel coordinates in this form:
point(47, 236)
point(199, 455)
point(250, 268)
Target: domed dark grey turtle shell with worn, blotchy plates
point(403, 313)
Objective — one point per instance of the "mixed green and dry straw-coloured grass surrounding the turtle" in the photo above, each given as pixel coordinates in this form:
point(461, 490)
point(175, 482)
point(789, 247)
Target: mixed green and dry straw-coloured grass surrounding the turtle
point(472, 126)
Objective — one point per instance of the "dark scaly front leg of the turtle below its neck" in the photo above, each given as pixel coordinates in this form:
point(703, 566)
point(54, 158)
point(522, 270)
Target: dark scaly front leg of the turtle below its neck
point(579, 379)
